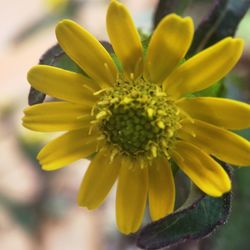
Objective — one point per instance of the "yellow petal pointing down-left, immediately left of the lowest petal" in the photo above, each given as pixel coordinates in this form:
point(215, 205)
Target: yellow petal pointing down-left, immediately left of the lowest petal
point(98, 180)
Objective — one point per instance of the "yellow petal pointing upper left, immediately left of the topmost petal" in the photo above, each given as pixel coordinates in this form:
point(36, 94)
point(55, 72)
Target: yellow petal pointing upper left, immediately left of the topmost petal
point(86, 51)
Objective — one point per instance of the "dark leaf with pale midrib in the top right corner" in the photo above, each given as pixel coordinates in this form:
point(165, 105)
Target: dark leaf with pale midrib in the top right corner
point(222, 21)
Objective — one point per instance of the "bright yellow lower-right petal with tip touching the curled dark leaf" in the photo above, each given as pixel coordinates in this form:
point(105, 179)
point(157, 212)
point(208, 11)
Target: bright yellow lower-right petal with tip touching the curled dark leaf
point(205, 172)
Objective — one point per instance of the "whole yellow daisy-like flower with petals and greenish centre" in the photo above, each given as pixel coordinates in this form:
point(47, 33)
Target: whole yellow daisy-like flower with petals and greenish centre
point(137, 120)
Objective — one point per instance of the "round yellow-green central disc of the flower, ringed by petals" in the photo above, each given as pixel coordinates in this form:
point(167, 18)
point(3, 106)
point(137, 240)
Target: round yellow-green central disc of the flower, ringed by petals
point(138, 118)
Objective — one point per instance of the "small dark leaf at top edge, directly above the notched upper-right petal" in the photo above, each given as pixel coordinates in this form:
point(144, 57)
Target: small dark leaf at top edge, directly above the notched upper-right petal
point(166, 7)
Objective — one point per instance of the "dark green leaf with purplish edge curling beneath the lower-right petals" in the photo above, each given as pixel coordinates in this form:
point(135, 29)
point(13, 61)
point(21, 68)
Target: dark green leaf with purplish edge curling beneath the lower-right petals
point(197, 218)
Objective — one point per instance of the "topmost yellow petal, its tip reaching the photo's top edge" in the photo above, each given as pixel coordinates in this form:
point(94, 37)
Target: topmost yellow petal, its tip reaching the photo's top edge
point(125, 39)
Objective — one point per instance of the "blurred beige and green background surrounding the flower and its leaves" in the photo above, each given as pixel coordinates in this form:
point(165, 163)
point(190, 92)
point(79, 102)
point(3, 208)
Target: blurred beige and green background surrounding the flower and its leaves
point(38, 210)
